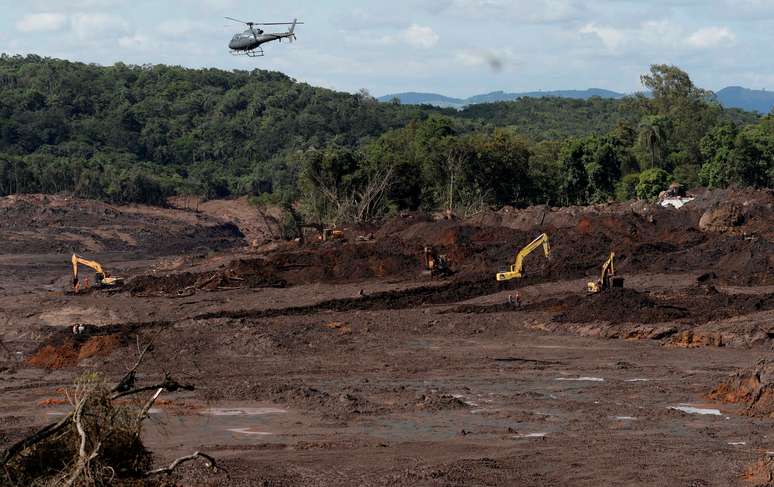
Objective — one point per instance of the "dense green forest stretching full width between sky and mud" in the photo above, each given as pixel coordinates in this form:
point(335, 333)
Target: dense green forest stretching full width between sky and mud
point(142, 133)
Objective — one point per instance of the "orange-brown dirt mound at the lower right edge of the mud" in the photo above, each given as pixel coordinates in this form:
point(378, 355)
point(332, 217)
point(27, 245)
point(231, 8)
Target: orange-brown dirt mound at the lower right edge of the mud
point(752, 388)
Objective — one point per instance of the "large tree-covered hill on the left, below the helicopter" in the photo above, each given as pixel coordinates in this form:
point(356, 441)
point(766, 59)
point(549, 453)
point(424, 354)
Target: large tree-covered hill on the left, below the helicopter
point(203, 122)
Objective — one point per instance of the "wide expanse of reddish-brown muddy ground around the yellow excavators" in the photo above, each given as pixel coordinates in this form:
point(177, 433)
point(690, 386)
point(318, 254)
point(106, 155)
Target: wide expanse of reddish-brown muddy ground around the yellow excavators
point(338, 363)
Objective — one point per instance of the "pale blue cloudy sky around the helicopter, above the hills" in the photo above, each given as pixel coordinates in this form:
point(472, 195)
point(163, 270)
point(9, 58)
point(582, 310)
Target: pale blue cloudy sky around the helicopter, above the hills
point(454, 47)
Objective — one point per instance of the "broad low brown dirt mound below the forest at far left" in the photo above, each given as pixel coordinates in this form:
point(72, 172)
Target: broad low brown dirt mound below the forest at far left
point(37, 224)
